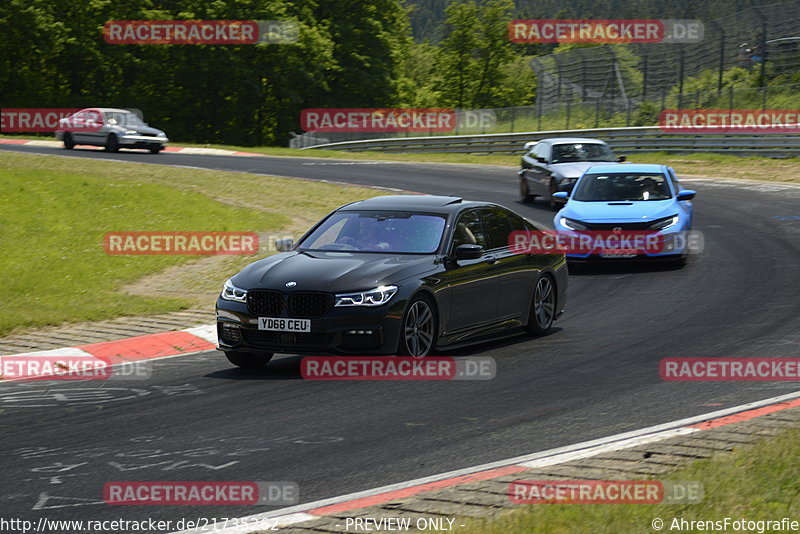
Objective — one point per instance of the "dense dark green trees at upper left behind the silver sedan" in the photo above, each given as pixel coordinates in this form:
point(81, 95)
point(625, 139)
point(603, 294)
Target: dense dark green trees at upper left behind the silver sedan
point(349, 53)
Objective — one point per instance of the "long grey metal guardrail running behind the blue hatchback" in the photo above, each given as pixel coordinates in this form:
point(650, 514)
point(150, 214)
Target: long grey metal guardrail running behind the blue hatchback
point(632, 139)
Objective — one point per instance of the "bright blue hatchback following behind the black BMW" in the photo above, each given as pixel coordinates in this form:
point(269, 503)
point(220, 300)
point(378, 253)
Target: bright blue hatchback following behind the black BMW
point(644, 198)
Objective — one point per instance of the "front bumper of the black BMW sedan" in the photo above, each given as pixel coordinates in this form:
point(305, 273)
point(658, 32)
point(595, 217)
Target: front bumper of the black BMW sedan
point(346, 330)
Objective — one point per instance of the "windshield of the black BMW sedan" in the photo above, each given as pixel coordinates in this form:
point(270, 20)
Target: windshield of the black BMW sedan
point(388, 232)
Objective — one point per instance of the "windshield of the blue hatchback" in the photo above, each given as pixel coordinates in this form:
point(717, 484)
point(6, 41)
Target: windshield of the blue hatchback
point(622, 187)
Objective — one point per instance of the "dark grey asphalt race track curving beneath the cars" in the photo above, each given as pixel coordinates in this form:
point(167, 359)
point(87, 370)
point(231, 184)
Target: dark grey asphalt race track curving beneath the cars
point(198, 418)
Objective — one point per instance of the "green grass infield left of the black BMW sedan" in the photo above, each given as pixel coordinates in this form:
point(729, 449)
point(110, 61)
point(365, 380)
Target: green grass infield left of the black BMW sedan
point(54, 213)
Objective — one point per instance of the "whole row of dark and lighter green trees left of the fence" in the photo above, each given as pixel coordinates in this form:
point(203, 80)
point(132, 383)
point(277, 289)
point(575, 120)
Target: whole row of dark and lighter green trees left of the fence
point(349, 54)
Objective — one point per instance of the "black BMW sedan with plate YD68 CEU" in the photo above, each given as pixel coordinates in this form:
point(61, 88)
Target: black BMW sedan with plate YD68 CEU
point(392, 275)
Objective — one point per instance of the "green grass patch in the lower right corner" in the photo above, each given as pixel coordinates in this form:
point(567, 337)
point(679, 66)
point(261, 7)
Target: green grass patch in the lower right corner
point(756, 482)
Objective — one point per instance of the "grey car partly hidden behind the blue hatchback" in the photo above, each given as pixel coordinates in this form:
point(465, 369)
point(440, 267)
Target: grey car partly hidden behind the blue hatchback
point(552, 165)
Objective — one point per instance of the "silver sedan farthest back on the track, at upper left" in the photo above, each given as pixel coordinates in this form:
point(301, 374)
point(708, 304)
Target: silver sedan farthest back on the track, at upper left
point(110, 128)
